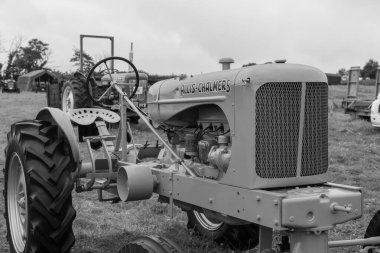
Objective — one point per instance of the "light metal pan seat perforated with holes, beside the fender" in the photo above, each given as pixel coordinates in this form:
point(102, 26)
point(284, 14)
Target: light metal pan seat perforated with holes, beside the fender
point(87, 116)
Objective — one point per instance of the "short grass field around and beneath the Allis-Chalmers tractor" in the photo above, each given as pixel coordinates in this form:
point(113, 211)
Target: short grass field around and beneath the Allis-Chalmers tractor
point(354, 159)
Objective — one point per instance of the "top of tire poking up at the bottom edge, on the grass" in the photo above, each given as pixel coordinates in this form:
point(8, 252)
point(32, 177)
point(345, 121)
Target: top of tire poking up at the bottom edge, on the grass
point(151, 244)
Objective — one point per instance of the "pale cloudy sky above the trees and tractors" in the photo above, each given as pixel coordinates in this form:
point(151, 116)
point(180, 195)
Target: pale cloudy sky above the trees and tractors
point(183, 36)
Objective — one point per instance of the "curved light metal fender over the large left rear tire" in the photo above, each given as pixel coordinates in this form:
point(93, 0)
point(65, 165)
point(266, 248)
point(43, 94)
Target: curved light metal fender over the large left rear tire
point(59, 118)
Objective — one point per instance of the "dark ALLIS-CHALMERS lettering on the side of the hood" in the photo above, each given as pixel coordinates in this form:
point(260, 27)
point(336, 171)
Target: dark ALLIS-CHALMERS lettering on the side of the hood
point(211, 86)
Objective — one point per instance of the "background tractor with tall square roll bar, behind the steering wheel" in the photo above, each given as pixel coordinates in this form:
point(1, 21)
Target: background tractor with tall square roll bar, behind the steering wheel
point(73, 93)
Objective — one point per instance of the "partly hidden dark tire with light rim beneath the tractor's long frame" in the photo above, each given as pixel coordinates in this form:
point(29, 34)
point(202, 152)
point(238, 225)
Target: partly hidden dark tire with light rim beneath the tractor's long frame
point(238, 237)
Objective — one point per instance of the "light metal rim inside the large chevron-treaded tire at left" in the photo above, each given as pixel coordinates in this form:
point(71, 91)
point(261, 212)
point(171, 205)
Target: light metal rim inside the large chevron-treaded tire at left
point(17, 203)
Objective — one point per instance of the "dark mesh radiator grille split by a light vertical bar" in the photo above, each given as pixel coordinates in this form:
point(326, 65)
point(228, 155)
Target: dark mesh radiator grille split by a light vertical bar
point(278, 107)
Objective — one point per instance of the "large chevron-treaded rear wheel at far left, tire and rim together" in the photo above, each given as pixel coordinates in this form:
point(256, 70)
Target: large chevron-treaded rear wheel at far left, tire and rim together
point(38, 186)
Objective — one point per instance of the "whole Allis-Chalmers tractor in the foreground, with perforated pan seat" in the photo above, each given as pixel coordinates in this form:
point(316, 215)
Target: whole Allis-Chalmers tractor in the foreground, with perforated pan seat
point(246, 154)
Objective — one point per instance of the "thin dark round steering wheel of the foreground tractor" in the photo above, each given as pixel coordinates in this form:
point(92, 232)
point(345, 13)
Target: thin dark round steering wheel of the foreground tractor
point(93, 89)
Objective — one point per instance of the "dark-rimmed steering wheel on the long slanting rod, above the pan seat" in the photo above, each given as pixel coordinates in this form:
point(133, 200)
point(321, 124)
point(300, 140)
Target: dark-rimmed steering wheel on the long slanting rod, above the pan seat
point(100, 91)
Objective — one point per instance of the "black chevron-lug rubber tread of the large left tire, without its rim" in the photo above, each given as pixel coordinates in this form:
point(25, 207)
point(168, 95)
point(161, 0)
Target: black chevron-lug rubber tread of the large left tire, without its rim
point(49, 185)
